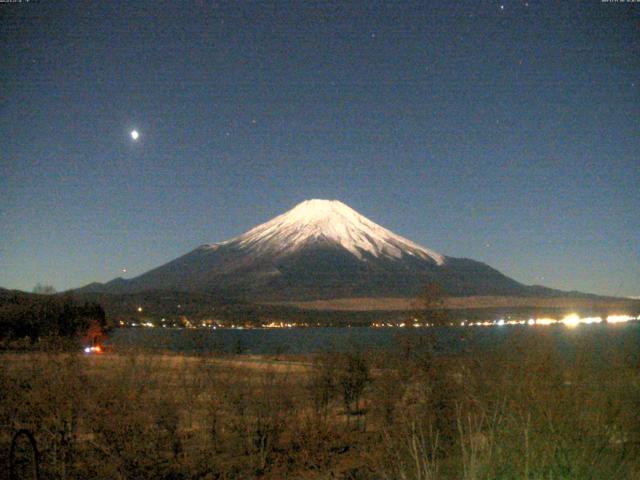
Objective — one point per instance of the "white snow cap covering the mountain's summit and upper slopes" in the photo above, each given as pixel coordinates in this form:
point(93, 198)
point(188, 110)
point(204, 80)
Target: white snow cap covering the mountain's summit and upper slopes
point(331, 221)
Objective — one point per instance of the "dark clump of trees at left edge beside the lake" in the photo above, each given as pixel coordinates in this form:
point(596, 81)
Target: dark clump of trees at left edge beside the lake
point(35, 317)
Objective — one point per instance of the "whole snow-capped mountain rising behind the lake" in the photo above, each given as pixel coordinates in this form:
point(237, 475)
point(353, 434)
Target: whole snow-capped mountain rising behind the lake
point(320, 249)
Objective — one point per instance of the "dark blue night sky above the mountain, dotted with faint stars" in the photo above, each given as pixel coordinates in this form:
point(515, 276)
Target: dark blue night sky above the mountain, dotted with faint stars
point(507, 132)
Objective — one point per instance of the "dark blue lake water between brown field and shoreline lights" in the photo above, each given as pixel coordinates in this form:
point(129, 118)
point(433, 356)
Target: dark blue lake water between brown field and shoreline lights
point(311, 340)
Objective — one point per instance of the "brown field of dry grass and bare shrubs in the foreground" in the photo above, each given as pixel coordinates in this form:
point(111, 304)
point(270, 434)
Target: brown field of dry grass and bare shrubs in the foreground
point(526, 411)
